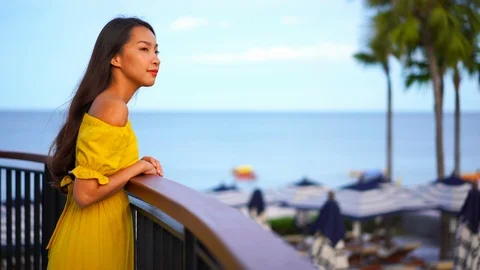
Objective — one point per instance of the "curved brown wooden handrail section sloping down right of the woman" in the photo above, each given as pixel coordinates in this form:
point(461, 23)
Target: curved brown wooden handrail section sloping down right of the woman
point(235, 240)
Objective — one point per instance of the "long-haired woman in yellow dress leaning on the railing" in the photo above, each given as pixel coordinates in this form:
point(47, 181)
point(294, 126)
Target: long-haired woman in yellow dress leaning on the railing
point(96, 152)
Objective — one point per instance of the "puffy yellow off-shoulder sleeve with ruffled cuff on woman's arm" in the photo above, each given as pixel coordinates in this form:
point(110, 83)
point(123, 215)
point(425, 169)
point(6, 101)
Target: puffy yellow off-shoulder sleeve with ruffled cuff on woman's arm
point(100, 147)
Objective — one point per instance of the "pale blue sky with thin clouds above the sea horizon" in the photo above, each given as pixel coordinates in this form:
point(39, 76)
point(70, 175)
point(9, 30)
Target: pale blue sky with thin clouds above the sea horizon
point(249, 55)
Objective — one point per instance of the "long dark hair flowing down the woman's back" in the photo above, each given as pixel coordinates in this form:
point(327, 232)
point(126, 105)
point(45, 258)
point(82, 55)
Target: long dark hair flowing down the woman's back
point(97, 78)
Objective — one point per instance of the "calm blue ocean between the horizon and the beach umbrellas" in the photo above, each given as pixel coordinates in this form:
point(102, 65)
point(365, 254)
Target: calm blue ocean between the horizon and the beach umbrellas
point(199, 149)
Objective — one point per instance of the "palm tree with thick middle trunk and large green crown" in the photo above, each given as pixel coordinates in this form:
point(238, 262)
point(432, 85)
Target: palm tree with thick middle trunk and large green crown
point(432, 29)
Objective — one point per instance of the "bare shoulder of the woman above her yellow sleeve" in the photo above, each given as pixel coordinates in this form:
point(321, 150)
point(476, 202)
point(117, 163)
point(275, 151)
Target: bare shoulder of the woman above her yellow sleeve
point(111, 110)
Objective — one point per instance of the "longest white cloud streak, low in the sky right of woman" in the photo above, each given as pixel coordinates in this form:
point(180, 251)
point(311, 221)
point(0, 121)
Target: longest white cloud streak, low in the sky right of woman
point(323, 51)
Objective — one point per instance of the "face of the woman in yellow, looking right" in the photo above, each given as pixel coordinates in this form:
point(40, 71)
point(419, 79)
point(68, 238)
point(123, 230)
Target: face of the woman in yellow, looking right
point(138, 58)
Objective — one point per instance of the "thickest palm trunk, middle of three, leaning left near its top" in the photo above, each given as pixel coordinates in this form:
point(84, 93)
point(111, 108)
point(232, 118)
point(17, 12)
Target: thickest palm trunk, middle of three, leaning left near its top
point(438, 97)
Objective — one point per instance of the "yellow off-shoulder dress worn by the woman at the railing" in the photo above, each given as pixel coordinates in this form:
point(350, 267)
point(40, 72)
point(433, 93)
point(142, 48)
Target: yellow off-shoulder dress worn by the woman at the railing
point(99, 236)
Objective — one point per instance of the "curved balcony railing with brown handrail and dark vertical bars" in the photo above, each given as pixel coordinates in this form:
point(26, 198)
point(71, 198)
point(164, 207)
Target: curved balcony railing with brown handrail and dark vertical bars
point(175, 227)
